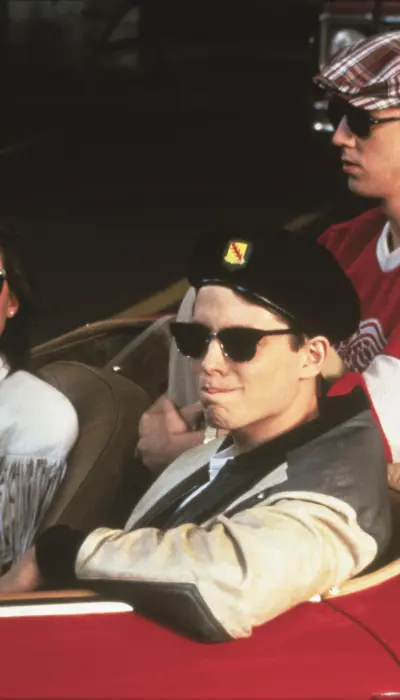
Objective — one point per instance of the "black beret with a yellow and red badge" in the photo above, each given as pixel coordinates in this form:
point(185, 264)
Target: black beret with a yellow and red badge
point(284, 271)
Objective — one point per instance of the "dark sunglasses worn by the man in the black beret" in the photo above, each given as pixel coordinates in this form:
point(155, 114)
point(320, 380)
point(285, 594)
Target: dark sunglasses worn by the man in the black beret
point(238, 343)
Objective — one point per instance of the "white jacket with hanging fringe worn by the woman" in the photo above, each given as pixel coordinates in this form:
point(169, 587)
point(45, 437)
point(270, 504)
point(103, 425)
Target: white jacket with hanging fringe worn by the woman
point(38, 427)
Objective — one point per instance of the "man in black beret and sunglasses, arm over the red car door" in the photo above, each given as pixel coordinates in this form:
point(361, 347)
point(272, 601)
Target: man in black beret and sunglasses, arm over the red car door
point(291, 503)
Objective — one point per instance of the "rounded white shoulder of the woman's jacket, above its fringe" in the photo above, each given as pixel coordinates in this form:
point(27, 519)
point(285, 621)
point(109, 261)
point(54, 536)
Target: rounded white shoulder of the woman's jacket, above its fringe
point(35, 418)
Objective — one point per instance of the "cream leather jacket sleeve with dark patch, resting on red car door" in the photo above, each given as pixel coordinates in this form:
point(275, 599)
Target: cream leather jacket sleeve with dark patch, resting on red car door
point(219, 580)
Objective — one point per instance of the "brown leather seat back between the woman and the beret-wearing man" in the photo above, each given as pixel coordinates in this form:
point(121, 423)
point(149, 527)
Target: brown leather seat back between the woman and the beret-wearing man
point(103, 478)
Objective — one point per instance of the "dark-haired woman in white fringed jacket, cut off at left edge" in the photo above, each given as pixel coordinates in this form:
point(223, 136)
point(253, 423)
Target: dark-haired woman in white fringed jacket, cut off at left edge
point(38, 425)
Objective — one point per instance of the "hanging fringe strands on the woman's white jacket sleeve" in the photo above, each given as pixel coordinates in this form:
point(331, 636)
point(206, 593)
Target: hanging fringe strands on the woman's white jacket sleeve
point(27, 487)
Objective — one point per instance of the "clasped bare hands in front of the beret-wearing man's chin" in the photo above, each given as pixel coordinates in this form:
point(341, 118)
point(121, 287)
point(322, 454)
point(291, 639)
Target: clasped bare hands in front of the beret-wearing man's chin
point(165, 433)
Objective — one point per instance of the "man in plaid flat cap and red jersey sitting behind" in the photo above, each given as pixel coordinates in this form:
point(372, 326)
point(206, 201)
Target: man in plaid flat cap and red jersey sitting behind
point(363, 84)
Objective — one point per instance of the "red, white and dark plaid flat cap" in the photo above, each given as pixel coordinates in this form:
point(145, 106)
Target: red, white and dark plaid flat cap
point(366, 74)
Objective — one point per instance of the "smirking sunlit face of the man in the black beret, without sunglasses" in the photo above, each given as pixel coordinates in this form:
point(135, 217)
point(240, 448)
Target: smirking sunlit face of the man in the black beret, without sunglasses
point(266, 389)
